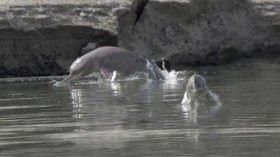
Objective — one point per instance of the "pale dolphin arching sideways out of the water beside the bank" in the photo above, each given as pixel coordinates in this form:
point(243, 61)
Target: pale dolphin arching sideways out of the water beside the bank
point(109, 60)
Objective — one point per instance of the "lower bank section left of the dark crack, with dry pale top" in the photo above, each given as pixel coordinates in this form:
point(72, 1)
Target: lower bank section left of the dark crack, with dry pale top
point(41, 38)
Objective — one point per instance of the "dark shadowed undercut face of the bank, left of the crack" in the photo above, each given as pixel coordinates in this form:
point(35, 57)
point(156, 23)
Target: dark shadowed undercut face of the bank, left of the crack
point(46, 51)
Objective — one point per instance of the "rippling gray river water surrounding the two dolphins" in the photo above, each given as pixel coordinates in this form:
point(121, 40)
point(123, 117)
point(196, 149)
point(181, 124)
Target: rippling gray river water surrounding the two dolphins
point(136, 117)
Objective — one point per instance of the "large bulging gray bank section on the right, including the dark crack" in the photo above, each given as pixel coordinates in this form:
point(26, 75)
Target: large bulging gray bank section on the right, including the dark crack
point(201, 32)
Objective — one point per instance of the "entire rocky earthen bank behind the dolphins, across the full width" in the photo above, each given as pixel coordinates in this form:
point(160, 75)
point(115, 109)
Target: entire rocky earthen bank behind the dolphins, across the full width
point(44, 37)
